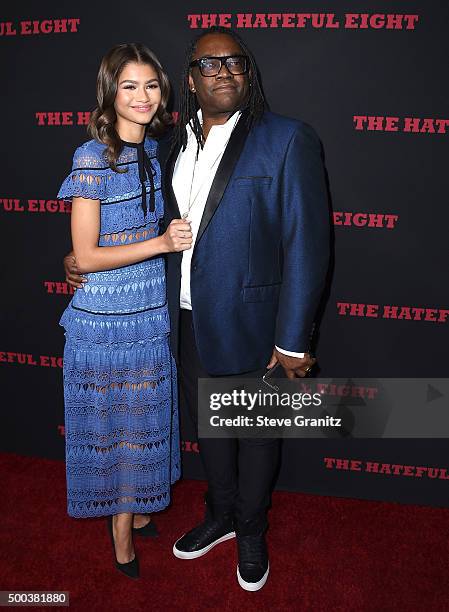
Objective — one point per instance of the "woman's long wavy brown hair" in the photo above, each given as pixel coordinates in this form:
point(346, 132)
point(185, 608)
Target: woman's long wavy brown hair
point(102, 121)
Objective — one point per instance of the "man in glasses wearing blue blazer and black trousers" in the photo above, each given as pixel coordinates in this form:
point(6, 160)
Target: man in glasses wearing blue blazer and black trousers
point(244, 298)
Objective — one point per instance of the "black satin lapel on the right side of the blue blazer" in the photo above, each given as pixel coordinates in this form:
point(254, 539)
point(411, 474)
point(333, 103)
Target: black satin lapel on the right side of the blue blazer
point(223, 174)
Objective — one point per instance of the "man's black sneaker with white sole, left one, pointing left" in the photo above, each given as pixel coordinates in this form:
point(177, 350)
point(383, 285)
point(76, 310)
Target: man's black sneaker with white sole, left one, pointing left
point(201, 539)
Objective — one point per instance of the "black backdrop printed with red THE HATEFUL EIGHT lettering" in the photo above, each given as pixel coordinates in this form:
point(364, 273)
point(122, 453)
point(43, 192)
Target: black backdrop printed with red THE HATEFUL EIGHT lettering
point(371, 78)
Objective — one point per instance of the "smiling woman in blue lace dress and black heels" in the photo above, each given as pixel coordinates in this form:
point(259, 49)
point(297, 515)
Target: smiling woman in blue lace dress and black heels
point(122, 440)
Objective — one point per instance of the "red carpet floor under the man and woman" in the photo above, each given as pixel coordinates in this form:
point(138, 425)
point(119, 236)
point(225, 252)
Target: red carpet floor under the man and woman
point(326, 553)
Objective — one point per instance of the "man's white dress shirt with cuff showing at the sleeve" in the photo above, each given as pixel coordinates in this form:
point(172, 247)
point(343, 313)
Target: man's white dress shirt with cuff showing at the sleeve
point(192, 180)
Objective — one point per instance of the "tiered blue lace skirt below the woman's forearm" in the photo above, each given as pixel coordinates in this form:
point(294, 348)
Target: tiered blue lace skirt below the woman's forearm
point(120, 392)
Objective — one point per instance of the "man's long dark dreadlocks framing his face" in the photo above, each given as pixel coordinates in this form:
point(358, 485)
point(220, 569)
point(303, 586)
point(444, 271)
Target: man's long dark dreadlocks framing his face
point(188, 105)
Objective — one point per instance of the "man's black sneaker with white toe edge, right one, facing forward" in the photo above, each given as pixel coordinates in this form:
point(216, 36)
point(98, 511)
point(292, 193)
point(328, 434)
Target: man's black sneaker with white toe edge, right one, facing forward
point(253, 567)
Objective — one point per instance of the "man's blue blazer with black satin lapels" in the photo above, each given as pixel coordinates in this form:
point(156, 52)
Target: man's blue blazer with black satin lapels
point(261, 255)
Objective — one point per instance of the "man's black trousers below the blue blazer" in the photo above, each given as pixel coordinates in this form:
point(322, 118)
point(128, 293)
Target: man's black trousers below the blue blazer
point(240, 472)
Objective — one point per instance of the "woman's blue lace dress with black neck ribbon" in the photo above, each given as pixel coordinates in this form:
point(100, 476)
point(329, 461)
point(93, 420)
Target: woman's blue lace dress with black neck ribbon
point(120, 394)
